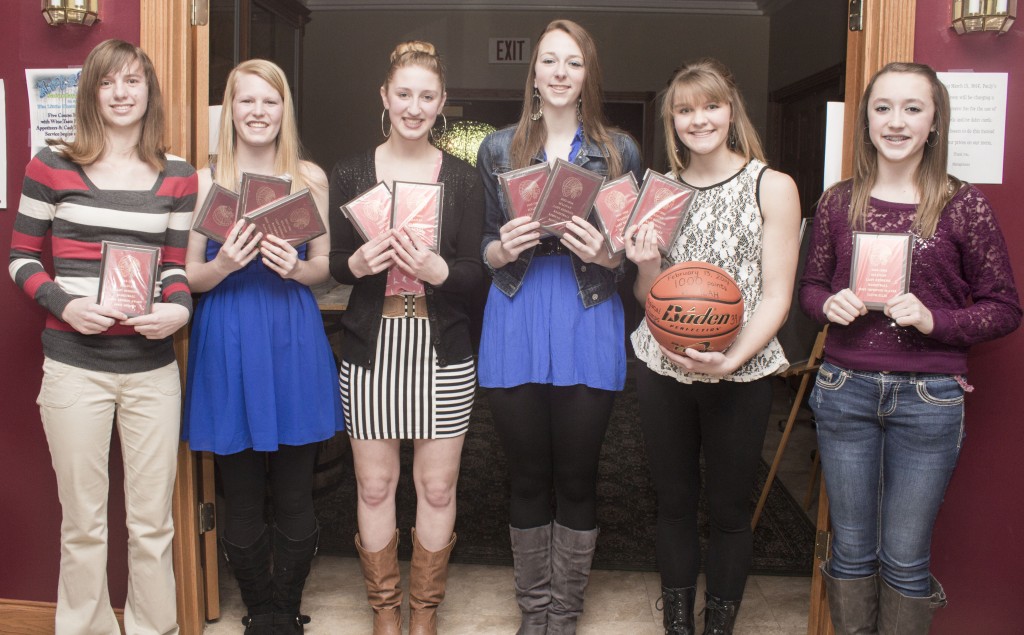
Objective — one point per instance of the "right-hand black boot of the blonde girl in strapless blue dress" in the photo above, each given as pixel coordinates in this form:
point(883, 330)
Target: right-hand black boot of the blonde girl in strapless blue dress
point(292, 560)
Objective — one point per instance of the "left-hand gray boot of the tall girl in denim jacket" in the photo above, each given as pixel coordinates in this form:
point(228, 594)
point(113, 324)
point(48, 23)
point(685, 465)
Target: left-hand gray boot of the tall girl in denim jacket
point(532, 563)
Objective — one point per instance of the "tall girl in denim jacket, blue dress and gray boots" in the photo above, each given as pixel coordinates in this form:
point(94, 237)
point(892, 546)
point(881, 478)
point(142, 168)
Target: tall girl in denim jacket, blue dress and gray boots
point(552, 351)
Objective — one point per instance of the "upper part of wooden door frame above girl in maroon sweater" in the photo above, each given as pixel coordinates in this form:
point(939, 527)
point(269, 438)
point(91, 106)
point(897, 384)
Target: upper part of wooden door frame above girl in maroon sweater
point(888, 36)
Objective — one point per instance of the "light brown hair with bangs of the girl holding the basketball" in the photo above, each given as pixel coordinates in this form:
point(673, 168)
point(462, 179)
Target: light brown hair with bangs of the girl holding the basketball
point(708, 80)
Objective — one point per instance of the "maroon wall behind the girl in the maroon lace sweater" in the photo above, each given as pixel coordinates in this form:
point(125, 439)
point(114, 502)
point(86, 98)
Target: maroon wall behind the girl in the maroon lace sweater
point(978, 552)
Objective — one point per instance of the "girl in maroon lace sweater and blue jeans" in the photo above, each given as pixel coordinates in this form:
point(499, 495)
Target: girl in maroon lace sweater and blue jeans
point(907, 361)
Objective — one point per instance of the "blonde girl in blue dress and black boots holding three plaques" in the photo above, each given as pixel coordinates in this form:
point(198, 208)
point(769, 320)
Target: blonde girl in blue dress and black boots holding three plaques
point(262, 388)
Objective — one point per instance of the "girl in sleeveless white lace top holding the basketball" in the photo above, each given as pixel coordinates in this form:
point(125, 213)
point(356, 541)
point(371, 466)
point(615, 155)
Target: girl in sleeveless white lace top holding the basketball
point(744, 219)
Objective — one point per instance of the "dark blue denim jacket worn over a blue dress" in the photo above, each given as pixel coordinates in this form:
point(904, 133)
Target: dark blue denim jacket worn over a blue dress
point(595, 282)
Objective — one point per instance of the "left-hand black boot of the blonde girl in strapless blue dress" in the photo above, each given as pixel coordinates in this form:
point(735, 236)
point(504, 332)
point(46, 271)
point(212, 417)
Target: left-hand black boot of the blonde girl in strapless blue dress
point(251, 567)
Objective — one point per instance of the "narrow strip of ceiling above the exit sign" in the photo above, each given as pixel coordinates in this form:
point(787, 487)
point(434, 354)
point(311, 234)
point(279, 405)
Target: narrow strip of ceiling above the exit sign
point(720, 8)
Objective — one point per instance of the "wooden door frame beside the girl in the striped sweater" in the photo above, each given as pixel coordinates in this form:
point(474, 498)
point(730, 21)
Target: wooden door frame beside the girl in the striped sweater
point(180, 53)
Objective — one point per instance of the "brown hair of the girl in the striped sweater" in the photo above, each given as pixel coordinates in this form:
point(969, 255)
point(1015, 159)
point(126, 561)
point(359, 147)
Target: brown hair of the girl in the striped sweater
point(111, 57)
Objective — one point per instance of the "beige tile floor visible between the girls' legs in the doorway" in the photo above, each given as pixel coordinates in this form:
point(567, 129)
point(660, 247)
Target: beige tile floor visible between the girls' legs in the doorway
point(481, 600)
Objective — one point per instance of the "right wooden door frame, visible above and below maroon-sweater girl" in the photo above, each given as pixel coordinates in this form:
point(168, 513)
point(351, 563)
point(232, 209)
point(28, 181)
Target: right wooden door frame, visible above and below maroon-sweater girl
point(886, 34)
